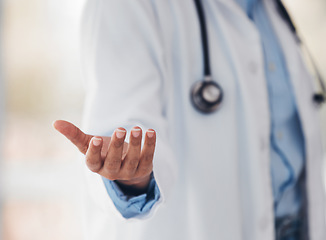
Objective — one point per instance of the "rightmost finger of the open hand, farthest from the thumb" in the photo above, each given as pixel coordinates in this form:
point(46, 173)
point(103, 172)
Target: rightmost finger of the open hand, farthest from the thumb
point(147, 154)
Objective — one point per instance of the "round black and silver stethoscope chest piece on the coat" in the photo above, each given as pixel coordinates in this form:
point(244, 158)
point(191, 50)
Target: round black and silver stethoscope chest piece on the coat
point(206, 96)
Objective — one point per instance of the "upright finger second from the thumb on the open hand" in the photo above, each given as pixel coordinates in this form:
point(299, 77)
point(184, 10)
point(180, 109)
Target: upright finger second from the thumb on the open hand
point(113, 159)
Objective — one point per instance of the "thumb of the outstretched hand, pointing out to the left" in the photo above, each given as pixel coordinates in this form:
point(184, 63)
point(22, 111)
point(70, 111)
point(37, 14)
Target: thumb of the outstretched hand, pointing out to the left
point(74, 134)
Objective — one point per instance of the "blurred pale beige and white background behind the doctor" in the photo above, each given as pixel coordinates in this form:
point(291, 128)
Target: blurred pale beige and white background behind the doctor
point(40, 81)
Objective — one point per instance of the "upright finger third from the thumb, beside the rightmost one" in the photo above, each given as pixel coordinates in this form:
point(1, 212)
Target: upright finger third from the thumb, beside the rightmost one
point(130, 162)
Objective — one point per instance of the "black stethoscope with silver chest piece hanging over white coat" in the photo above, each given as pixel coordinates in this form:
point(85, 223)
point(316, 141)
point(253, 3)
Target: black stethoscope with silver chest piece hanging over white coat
point(207, 95)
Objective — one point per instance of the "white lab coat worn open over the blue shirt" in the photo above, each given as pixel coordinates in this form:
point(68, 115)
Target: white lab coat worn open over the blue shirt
point(141, 58)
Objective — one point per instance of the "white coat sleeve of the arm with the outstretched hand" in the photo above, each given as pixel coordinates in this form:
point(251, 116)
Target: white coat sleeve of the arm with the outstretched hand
point(123, 65)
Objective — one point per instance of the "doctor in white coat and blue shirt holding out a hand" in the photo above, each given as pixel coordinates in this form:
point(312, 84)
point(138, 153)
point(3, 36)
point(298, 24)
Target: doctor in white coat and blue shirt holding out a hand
point(238, 160)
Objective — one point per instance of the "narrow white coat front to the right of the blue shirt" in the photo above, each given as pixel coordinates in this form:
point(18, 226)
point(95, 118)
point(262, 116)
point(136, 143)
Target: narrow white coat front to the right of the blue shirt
point(303, 87)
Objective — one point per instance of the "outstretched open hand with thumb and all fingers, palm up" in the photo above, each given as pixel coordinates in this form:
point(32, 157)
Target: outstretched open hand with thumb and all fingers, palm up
point(112, 157)
